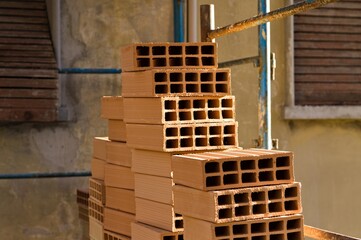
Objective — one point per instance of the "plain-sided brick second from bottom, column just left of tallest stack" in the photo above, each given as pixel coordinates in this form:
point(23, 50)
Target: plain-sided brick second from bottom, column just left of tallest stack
point(118, 221)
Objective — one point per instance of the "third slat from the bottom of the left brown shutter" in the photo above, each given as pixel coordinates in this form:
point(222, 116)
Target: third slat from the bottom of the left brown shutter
point(29, 93)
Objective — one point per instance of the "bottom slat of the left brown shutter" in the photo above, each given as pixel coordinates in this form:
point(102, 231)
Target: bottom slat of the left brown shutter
point(26, 114)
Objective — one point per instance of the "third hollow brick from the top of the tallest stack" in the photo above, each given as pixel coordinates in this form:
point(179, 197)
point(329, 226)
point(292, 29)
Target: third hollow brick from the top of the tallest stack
point(177, 110)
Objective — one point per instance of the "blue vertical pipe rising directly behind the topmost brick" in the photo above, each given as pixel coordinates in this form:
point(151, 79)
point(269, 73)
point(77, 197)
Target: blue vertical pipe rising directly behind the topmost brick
point(178, 12)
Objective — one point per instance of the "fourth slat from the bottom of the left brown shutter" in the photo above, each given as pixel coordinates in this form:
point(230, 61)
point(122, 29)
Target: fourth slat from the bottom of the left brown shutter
point(29, 83)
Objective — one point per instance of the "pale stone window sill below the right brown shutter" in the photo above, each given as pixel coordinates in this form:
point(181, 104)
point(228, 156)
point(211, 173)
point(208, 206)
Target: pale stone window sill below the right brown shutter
point(322, 112)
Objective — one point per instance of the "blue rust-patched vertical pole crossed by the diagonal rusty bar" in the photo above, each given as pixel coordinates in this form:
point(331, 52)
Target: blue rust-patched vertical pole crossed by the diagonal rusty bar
point(264, 98)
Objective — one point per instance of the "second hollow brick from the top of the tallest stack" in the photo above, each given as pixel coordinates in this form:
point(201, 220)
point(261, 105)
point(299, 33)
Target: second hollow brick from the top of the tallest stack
point(177, 82)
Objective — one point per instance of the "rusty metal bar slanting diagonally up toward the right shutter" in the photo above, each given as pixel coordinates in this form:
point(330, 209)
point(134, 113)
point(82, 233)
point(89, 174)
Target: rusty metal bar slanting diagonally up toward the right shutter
point(267, 17)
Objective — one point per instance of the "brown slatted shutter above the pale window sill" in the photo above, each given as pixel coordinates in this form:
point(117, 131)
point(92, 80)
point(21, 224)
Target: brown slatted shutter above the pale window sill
point(327, 54)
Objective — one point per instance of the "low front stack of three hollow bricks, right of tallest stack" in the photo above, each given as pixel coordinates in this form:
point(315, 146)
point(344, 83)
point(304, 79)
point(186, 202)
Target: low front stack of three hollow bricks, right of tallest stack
point(238, 194)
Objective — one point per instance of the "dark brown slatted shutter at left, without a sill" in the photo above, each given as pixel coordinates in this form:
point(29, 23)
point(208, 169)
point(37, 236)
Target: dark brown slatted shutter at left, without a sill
point(28, 70)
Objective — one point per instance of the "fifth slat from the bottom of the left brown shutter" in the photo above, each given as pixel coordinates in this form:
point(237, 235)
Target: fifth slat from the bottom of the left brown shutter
point(23, 72)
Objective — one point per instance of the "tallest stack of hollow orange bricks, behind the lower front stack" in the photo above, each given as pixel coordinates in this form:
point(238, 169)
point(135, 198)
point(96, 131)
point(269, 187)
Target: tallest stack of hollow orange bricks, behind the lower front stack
point(176, 100)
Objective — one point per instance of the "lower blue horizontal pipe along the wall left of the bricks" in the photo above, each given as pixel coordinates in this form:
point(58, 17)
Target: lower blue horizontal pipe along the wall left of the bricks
point(45, 175)
